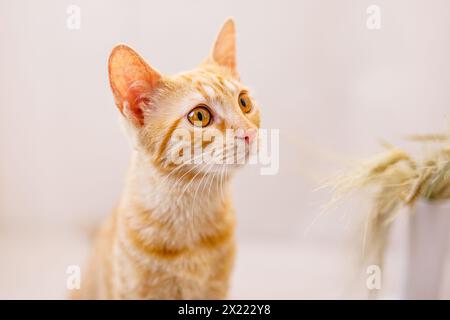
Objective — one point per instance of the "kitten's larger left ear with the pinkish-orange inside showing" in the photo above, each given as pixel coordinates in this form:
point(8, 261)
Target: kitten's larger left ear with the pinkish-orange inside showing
point(132, 81)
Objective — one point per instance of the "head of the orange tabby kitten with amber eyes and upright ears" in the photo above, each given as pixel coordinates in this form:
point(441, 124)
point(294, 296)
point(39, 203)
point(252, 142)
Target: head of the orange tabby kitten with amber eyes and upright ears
point(200, 120)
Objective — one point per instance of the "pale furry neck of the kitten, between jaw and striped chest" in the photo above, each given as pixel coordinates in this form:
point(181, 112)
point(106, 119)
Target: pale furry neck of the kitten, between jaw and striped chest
point(167, 194)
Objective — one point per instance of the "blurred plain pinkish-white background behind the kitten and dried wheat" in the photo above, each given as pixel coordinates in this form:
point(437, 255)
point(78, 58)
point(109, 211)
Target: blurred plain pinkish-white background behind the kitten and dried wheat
point(333, 86)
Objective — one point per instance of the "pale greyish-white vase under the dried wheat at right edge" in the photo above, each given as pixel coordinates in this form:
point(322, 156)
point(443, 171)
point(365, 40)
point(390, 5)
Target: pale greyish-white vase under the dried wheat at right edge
point(428, 236)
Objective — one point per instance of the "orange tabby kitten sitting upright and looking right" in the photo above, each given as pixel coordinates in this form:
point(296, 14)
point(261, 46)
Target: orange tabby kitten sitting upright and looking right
point(172, 234)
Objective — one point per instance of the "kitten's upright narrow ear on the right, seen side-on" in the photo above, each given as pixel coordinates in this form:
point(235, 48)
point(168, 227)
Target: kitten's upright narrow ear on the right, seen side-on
point(224, 50)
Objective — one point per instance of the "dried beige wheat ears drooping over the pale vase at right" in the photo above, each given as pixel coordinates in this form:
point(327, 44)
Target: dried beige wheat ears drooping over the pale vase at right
point(399, 180)
